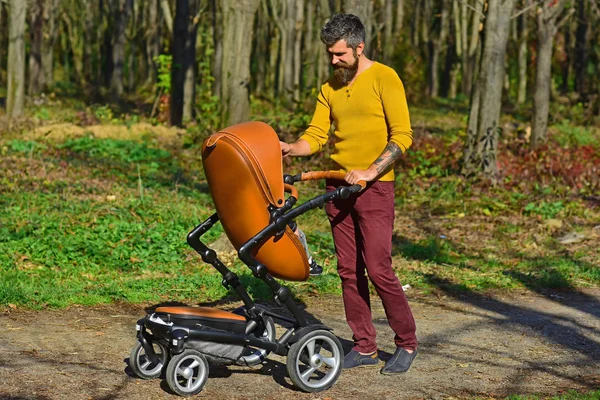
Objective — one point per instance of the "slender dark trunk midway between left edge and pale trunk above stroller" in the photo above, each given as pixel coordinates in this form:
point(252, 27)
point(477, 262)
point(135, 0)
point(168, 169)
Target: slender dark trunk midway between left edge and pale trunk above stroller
point(121, 14)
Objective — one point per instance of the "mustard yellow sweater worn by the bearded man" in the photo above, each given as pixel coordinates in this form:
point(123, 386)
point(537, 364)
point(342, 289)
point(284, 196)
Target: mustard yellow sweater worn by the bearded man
point(367, 115)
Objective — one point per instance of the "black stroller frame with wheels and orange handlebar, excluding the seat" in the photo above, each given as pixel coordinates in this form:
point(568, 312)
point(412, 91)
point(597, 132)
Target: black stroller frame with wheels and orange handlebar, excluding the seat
point(167, 338)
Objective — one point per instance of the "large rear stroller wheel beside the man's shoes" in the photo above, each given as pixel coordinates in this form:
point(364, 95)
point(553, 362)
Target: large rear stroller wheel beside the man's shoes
point(314, 363)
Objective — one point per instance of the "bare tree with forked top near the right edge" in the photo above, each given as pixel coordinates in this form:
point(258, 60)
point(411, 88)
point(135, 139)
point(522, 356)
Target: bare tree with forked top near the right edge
point(550, 11)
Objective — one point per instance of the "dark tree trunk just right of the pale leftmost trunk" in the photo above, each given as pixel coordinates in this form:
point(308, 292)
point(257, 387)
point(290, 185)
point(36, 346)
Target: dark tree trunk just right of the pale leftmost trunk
point(36, 76)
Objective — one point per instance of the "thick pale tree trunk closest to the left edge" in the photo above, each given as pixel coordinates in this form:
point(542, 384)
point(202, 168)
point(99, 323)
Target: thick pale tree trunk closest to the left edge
point(15, 98)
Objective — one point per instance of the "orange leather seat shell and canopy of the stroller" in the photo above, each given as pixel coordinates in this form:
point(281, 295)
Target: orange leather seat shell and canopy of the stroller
point(243, 167)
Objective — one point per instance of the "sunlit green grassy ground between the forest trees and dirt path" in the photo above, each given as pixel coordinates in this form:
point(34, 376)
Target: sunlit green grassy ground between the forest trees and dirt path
point(88, 220)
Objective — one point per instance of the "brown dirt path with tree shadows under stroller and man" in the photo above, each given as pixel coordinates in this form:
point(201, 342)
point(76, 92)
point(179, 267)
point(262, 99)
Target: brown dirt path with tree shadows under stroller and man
point(470, 345)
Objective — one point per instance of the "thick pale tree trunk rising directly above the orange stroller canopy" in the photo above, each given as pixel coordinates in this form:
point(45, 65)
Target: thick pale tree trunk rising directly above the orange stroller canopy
point(238, 24)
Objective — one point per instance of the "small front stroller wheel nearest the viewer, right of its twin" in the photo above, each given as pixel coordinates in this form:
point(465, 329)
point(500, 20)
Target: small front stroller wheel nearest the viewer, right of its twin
point(187, 373)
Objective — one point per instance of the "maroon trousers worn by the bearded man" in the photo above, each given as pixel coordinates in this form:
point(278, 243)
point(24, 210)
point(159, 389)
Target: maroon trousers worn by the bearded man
point(362, 232)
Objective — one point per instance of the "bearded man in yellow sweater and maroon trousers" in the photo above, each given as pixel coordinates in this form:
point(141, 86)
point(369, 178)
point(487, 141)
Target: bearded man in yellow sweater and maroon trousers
point(367, 104)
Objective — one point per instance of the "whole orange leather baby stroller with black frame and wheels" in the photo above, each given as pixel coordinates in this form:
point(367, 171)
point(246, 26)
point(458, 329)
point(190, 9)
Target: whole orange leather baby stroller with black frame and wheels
point(244, 172)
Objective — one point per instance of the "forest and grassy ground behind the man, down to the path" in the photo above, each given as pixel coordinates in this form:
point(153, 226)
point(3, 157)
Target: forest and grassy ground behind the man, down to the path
point(105, 104)
